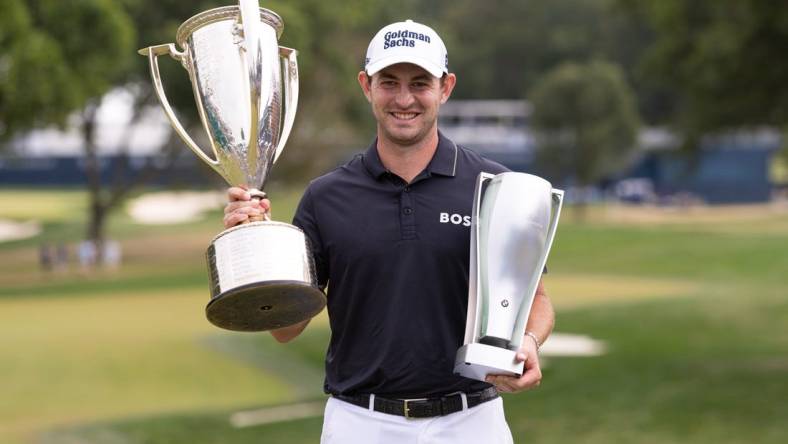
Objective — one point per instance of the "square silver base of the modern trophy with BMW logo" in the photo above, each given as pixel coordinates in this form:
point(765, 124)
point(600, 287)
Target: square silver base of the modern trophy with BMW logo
point(476, 361)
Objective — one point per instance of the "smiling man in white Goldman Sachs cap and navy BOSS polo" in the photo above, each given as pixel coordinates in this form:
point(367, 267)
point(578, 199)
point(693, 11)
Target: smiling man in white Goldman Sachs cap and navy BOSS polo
point(398, 266)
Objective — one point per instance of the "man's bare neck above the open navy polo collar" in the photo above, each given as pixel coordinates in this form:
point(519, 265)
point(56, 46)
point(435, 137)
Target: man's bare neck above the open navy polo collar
point(407, 161)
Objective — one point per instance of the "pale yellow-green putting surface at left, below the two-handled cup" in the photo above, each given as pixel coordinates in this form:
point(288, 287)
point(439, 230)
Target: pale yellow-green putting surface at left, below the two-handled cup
point(119, 354)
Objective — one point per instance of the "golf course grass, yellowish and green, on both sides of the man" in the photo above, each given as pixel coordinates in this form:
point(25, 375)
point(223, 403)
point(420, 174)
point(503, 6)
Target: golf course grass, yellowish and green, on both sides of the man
point(693, 310)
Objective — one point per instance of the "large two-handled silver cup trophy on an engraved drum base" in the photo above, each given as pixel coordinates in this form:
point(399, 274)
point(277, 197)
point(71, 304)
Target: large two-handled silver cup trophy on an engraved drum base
point(246, 88)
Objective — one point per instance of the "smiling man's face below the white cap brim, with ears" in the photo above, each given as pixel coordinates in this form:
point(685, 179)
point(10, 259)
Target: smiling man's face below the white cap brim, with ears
point(405, 100)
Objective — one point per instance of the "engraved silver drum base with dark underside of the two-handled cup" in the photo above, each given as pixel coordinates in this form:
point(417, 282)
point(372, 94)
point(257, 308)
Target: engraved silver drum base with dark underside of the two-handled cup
point(261, 278)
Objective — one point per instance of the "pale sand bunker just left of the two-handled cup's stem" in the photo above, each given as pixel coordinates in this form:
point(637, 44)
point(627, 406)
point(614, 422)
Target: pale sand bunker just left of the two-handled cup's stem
point(174, 207)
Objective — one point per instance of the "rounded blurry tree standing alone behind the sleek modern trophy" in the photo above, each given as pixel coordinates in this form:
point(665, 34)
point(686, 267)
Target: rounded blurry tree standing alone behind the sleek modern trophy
point(585, 120)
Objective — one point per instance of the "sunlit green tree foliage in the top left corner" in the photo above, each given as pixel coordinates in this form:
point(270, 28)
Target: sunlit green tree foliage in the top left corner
point(47, 70)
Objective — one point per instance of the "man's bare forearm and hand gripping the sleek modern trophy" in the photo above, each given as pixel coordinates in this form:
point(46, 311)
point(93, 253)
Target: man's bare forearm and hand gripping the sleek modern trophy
point(540, 324)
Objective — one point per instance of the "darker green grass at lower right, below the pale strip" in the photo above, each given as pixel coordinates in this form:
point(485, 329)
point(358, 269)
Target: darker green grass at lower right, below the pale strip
point(706, 368)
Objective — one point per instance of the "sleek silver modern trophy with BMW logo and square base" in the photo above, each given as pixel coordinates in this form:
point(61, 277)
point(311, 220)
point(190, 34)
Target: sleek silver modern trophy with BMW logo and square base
point(515, 216)
